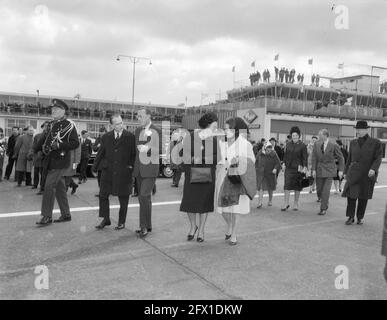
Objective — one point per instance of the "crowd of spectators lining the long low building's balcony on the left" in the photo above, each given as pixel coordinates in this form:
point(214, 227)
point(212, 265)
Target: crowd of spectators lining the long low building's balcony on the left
point(81, 113)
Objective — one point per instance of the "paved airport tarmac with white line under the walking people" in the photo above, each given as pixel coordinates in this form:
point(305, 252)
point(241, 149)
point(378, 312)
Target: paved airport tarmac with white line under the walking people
point(280, 255)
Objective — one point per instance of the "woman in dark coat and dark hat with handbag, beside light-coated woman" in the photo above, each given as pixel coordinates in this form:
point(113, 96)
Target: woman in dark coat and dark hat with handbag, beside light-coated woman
point(198, 198)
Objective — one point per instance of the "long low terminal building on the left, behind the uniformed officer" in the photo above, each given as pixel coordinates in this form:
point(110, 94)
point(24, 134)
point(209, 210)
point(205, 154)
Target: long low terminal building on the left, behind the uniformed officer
point(17, 109)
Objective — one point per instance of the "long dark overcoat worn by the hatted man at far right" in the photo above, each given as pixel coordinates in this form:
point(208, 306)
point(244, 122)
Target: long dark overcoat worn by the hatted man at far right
point(360, 160)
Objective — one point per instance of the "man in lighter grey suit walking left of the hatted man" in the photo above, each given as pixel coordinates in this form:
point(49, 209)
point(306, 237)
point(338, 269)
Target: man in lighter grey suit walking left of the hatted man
point(324, 168)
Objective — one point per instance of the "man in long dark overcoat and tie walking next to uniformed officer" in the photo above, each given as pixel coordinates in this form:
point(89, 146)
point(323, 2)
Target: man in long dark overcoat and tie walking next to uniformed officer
point(115, 158)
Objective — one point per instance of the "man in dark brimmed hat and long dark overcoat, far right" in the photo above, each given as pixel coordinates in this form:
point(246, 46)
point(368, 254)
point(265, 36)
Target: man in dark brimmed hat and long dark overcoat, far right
point(361, 171)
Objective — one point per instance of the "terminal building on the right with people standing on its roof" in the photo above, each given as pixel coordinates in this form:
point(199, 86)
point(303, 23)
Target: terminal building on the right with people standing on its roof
point(271, 109)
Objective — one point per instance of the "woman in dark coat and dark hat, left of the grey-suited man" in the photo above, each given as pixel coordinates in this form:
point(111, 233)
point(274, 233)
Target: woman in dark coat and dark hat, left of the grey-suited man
point(296, 163)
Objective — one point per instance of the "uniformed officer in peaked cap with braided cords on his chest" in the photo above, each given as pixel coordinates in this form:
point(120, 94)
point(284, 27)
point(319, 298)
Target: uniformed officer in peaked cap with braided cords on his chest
point(61, 138)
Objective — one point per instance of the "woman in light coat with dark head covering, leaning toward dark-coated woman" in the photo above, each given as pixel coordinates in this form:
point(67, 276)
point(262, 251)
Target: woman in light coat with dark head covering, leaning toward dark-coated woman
point(235, 148)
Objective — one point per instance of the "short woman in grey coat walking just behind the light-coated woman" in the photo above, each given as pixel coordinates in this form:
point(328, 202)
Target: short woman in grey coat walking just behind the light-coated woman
point(267, 166)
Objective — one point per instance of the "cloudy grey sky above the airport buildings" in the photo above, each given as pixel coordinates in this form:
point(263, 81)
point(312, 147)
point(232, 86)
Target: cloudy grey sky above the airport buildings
point(68, 47)
